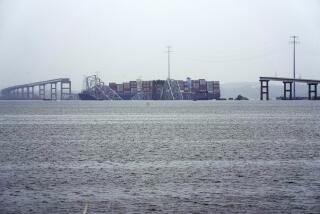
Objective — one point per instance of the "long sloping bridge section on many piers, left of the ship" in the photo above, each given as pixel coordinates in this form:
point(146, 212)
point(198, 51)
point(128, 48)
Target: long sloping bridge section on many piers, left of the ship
point(37, 90)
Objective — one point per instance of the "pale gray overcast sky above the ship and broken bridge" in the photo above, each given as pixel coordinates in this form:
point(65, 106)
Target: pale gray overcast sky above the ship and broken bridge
point(226, 40)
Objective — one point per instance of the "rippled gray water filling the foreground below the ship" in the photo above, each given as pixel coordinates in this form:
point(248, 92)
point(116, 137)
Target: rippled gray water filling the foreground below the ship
point(162, 157)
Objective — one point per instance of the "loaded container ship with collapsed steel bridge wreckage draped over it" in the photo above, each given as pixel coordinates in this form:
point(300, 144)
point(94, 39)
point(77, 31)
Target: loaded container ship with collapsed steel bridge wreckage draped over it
point(170, 89)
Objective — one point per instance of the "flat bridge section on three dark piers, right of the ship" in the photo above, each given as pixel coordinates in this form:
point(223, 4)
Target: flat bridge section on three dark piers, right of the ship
point(287, 87)
